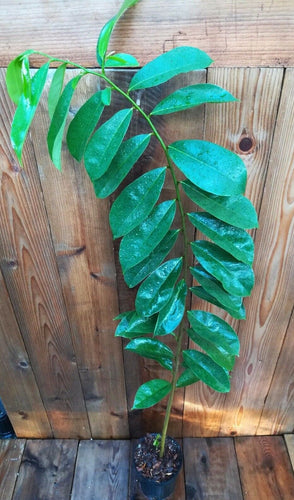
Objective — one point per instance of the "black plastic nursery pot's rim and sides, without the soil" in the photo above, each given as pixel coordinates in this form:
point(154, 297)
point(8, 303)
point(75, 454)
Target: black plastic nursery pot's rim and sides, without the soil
point(159, 490)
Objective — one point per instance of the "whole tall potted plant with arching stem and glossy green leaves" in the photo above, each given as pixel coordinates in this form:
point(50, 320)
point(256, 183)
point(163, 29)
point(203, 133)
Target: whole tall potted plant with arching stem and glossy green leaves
point(214, 179)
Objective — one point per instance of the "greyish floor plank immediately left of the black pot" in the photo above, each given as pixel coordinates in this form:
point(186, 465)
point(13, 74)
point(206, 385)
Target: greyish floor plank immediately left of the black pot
point(102, 470)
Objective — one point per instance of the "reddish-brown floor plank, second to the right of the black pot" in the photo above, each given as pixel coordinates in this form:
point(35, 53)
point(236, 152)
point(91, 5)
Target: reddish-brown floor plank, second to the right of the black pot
point(265, 468)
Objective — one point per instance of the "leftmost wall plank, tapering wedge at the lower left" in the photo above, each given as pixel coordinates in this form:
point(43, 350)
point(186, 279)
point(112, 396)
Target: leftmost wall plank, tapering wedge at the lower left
point(20, 393)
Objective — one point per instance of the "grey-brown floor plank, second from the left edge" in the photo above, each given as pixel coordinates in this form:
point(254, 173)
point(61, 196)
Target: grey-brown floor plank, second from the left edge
point(46, 470)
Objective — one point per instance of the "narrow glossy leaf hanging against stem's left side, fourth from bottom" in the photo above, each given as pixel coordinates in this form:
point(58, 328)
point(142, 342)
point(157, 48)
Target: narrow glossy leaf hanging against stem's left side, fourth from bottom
point(172, 313)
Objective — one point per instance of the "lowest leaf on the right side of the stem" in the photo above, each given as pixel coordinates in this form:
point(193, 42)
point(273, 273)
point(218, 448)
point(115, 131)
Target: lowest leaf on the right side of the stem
point(207, 370)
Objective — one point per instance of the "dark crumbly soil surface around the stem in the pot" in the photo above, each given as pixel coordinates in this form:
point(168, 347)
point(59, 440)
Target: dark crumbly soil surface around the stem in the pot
point(149, 463)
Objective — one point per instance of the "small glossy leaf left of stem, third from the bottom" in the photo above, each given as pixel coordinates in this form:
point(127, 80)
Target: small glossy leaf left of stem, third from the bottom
point(132, 325)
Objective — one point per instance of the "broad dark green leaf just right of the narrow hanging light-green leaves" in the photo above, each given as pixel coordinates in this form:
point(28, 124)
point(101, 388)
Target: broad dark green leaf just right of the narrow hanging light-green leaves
point(83, 124)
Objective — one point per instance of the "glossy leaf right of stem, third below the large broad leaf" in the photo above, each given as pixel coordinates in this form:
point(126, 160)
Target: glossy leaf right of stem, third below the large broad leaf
point(236, 277)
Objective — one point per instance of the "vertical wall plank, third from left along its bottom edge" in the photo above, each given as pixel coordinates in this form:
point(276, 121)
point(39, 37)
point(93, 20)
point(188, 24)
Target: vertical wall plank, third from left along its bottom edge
point(84, 249)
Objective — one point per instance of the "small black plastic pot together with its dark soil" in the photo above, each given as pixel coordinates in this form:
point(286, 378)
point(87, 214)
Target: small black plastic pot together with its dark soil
point(157, 476)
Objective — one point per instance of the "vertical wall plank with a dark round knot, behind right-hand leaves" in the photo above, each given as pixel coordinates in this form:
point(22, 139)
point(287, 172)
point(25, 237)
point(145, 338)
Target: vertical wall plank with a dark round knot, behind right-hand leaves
point(207, 412)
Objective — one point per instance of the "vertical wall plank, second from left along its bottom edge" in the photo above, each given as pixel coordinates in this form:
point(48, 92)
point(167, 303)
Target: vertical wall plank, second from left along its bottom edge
point(30, 273)
